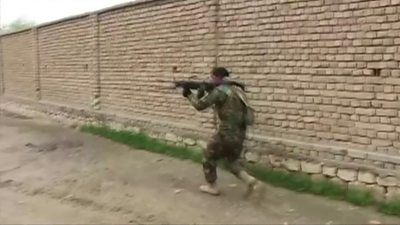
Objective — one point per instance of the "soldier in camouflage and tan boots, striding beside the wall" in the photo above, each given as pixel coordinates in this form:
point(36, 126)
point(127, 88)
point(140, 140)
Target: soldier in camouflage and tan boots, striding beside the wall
point(227, 142)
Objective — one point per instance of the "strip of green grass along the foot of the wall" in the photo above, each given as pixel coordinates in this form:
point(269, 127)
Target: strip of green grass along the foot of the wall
point(298, 182)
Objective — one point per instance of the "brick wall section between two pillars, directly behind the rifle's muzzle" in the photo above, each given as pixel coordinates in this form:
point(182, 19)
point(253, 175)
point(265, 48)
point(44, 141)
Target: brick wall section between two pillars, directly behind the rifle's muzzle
point(139, 48)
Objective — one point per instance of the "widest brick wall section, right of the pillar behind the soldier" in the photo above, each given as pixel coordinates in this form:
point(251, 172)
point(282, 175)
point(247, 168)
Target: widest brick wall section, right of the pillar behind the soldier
point(320, 71)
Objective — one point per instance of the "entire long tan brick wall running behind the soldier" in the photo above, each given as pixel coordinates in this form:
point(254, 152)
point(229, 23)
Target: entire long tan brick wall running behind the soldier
point(323, 74)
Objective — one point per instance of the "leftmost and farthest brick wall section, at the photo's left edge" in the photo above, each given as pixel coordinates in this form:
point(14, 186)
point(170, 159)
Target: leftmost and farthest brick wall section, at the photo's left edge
point(17, 61)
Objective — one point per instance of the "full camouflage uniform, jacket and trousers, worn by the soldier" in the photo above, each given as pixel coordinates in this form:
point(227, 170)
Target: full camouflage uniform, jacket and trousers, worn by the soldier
point(227, 142)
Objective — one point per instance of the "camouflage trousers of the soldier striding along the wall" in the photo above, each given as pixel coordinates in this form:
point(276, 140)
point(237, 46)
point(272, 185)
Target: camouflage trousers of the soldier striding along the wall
point(222, 146)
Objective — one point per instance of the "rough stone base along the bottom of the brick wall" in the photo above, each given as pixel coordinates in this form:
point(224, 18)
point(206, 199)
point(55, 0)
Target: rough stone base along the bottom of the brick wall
point(384, 184)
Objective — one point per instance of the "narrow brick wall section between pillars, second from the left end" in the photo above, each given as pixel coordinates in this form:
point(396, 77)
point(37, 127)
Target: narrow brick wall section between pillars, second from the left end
point(65, 56)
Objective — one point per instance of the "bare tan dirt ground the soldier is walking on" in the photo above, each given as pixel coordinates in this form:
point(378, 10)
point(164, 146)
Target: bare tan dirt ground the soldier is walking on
point(55, 175)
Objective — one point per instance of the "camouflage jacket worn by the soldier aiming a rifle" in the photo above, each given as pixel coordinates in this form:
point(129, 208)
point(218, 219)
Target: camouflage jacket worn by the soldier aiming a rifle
point(227, 105)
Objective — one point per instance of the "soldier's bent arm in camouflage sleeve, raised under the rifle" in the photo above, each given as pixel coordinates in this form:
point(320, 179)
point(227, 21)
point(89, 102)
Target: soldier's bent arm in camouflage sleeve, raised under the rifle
point(214, 97)
